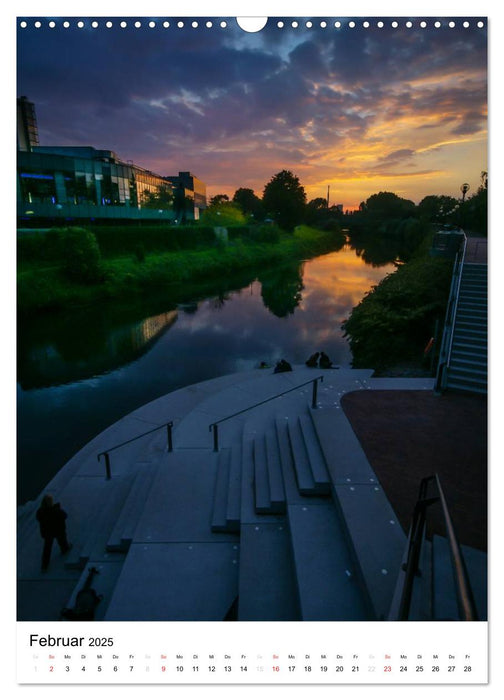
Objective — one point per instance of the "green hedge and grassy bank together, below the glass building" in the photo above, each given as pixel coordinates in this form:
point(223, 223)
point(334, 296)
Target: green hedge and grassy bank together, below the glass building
point(108, 265)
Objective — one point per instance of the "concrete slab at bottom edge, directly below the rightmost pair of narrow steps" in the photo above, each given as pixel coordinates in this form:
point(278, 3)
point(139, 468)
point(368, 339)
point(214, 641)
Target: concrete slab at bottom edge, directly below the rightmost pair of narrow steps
point(328, 586)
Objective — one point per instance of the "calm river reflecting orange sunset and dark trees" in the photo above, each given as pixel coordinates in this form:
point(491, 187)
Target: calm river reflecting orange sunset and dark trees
point(79, 373)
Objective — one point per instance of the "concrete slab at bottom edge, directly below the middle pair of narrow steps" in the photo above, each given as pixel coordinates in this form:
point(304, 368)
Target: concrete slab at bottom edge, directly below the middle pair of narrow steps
point(267, 582)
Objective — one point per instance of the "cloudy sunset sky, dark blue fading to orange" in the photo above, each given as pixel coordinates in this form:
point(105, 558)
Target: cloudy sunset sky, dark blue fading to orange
point(360, 109)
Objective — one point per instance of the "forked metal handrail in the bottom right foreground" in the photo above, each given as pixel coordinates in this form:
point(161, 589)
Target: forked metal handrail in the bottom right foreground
point(416, 538)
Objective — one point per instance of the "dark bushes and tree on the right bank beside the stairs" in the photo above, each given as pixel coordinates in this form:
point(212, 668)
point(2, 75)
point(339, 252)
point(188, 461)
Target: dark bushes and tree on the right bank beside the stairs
point(396, 319)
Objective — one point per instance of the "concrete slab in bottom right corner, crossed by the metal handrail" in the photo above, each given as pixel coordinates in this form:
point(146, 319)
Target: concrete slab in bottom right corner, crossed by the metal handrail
point(444, 592)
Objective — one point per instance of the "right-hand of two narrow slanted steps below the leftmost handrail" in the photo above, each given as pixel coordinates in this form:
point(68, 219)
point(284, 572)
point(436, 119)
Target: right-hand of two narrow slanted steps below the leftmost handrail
point(122, 533)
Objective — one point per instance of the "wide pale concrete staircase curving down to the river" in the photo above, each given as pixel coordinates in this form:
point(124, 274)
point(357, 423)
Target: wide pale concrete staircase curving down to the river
point(283, 520)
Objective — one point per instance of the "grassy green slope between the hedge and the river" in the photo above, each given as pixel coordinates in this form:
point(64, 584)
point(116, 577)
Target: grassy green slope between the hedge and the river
point(44, 283)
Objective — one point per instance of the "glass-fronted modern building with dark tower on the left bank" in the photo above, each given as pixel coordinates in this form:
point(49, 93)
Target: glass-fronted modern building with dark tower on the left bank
point(75, 183)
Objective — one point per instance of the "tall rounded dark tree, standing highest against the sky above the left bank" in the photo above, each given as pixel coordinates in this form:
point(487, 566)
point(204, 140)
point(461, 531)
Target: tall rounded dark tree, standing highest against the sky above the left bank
point(284, 200)
